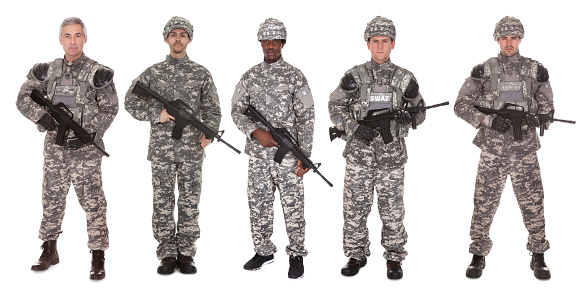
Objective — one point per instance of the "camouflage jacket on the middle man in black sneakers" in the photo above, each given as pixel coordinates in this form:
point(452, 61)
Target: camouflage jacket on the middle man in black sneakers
point(281, 94)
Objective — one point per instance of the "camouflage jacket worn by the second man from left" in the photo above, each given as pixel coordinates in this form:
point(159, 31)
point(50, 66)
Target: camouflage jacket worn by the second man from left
point(176, 79)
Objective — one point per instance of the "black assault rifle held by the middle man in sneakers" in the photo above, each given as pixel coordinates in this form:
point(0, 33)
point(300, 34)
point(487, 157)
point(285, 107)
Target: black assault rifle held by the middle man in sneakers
point(285, 141)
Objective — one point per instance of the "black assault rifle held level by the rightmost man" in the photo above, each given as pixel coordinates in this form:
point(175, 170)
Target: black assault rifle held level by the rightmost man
point(512, 112)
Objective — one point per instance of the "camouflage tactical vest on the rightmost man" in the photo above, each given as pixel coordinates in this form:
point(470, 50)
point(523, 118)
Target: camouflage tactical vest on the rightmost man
point(514, 88)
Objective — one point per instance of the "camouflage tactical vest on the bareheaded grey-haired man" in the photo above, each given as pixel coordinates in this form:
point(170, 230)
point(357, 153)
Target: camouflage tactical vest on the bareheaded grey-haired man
point(71, 90)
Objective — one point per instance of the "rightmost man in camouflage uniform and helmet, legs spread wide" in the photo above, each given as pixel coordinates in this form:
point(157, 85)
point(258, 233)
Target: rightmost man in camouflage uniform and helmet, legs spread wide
point(523, 82)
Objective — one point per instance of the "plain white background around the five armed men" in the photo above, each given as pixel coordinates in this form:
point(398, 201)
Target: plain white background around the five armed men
point(439, 41)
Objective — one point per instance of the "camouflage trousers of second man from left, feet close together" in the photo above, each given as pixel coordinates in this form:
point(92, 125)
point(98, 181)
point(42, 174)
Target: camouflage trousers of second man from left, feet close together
point(180, 237)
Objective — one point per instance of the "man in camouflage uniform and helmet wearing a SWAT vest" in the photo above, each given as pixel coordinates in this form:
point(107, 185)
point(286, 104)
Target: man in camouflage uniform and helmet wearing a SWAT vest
point(375, 162)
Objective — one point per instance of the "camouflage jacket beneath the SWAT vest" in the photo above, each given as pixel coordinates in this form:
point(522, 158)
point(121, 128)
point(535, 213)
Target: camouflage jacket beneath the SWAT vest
point(341, 101)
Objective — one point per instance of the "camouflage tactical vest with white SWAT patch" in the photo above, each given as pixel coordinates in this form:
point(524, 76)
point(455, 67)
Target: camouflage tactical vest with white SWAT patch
point(373, 94)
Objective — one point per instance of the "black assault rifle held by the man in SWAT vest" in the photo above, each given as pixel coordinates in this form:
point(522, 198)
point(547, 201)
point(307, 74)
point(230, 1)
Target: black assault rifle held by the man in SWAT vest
point(381, 119)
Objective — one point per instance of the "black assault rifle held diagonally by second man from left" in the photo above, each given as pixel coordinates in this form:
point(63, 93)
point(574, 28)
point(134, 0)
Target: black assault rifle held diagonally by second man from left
point(178, 110)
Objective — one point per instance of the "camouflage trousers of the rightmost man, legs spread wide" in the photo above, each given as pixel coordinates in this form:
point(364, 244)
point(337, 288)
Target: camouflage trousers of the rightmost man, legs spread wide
point(527, 186)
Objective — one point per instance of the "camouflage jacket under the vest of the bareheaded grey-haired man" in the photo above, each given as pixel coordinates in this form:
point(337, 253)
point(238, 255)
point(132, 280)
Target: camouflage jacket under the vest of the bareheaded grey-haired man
point(100, 103)
